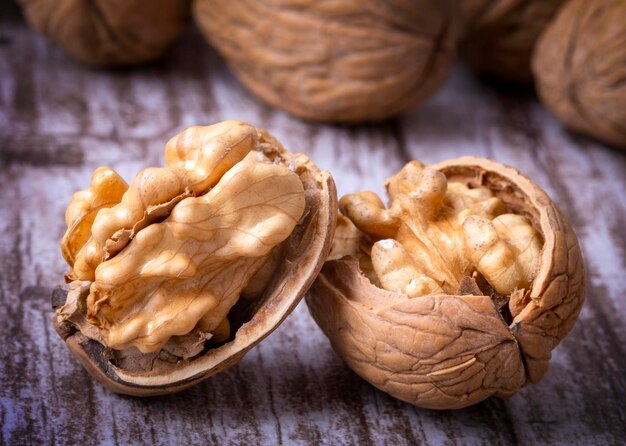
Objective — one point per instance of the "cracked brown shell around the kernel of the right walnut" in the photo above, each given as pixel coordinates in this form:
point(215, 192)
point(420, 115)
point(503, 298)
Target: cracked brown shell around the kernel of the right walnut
point(445, 351)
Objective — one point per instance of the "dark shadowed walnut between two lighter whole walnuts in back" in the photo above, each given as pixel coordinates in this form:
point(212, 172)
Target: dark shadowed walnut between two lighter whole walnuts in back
point(499, 35)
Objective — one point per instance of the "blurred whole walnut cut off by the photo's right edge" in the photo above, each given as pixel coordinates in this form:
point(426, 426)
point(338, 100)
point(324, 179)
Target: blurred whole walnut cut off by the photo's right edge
point(580, 68)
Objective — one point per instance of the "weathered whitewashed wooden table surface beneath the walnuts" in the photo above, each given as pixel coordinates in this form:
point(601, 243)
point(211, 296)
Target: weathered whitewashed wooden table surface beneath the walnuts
point(59, 121)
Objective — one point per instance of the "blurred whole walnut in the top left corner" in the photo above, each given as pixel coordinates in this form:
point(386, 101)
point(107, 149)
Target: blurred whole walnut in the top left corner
point(106, 33)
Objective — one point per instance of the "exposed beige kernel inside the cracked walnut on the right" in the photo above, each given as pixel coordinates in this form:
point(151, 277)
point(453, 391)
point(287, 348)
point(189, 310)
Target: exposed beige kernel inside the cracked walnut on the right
point(434, 224)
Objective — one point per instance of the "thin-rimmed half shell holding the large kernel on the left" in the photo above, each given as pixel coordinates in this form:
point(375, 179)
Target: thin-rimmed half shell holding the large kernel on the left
point(301, 258)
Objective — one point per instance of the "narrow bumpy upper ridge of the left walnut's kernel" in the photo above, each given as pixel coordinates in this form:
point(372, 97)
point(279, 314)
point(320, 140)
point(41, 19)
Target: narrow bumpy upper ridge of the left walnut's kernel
point(195, 160)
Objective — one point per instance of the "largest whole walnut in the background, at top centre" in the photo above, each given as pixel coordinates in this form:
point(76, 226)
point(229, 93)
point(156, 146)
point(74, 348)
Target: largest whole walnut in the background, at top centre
point(335, 60)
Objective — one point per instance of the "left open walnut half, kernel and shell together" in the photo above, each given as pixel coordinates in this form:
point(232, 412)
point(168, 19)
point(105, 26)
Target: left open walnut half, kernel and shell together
point(157, 267)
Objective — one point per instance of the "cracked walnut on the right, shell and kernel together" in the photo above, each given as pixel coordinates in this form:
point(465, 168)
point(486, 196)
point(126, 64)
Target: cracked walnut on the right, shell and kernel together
point(457, 291)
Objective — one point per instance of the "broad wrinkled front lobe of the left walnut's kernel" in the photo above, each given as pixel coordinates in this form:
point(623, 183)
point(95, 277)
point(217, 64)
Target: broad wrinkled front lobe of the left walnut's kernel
point(198, 261)
